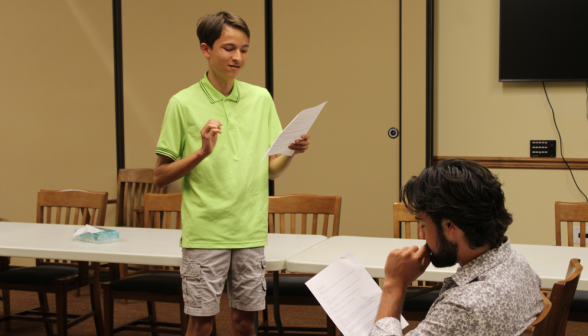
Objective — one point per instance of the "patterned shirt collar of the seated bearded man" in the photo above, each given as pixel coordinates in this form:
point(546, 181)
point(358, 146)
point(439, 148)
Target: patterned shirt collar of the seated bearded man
point(483, 263)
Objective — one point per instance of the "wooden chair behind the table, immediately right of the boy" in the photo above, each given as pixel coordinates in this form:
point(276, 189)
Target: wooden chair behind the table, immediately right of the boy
point(298, 208)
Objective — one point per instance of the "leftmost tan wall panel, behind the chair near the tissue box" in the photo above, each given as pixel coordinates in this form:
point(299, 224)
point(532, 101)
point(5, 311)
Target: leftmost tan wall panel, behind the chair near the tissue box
point(56, 101)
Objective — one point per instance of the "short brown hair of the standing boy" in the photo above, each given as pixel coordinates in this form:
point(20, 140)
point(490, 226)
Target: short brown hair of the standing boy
point(210, 27)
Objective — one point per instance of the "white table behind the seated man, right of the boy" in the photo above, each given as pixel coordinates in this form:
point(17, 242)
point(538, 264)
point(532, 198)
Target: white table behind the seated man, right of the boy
point(550, 262)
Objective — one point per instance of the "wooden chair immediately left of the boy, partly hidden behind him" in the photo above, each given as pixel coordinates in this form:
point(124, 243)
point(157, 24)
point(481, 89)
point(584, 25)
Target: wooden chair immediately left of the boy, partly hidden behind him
point(159, 284)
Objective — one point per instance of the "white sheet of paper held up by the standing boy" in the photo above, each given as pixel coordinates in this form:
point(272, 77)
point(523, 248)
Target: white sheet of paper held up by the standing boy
point(299, 125)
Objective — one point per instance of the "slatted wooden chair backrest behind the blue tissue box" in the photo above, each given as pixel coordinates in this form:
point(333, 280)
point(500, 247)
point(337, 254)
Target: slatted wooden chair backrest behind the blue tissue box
point(88, 207)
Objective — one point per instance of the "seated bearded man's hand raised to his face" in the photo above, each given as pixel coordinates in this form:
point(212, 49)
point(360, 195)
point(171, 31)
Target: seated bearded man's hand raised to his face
point(405, 265)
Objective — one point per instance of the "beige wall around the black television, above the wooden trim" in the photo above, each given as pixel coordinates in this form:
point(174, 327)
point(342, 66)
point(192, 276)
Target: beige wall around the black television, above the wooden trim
point(479, 116)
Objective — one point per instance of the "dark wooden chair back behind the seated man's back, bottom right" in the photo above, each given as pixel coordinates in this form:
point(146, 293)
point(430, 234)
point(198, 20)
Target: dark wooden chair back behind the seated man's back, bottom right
point(561, 298)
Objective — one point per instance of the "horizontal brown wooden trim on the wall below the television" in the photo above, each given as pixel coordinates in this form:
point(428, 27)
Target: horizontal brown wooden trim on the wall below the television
point(522, 162)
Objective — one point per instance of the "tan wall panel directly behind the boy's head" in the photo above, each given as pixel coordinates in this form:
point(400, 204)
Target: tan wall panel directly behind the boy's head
point(162, 56)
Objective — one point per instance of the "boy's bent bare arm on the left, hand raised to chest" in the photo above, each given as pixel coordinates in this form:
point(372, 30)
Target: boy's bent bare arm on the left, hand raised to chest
point(167, 170)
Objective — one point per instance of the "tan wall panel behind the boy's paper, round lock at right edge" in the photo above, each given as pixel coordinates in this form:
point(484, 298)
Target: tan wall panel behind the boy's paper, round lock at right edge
point(347, 53)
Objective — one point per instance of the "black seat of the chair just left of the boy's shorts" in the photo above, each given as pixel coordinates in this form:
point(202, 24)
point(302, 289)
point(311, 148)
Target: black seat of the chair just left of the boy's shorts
point(156, 283)
